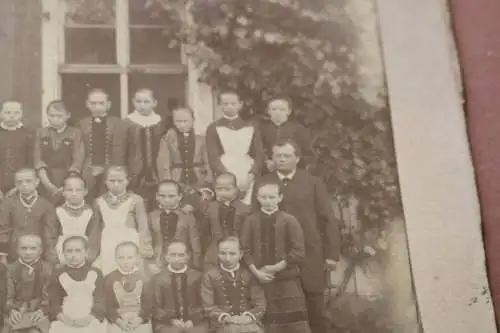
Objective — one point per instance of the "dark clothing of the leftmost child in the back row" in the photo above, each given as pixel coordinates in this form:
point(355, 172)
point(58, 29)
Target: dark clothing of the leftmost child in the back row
point(16, 152)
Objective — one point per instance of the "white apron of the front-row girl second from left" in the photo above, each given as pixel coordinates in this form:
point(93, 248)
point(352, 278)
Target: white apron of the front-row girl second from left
point(78, 304)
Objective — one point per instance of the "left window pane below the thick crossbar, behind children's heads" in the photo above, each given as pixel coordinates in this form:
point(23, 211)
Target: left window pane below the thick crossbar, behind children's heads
point(75, 88)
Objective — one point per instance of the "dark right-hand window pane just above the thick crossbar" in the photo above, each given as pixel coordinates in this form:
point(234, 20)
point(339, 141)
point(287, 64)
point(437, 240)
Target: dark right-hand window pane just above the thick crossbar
point(152, 46)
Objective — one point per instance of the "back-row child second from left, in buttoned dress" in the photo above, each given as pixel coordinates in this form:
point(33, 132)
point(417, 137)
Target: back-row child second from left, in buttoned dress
point(58, 151)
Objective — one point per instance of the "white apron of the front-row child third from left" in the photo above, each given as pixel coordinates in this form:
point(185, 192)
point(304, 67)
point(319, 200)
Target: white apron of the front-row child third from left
point(129, 306)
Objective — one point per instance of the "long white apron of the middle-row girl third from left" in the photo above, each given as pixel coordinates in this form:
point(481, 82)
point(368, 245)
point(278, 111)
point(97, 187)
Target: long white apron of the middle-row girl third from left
point(115, 232)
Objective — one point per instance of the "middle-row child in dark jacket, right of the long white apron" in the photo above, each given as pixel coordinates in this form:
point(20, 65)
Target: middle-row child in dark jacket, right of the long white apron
point(169, 222)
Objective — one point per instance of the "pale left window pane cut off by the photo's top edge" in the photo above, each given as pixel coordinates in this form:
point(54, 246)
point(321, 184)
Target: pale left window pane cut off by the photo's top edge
point(90, 12)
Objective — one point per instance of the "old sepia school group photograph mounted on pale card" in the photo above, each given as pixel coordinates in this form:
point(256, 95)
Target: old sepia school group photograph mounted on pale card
point(196, 166)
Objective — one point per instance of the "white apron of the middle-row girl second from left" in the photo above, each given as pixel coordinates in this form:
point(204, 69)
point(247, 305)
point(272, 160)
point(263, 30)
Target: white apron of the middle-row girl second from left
point(71, 226)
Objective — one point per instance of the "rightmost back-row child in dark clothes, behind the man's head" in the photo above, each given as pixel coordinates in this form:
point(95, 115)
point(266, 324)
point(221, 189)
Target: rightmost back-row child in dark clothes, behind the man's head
point(279, 127)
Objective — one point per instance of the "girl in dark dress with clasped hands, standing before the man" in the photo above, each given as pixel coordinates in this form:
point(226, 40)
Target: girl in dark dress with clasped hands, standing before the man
point(274, 248)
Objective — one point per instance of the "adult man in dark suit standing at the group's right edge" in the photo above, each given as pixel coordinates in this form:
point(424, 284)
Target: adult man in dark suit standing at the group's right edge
point(306, 198)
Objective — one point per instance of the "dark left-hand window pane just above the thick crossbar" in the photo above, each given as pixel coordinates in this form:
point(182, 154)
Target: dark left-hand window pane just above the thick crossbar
point(90, 46)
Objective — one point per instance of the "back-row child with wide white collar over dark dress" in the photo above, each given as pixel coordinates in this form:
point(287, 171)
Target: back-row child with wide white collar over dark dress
point(145, 131)
